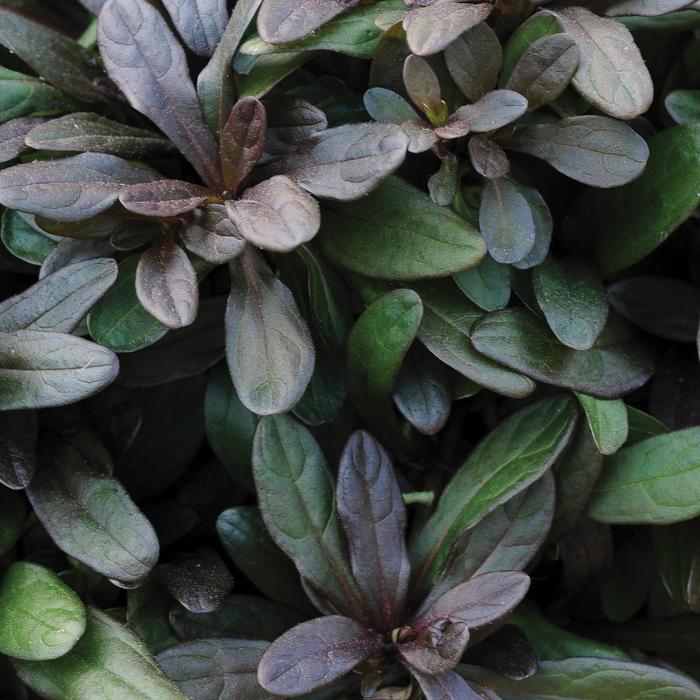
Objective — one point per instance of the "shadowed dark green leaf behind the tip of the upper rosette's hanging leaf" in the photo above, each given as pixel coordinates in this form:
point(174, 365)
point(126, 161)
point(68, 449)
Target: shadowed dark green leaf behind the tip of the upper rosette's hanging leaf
point(230, 427)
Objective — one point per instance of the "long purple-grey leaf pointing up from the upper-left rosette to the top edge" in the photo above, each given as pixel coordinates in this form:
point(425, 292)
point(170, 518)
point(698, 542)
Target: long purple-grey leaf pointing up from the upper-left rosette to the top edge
point(145, 60)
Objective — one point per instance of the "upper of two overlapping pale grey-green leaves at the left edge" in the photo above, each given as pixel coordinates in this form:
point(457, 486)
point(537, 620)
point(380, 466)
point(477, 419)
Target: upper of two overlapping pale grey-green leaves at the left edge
point(60, 301)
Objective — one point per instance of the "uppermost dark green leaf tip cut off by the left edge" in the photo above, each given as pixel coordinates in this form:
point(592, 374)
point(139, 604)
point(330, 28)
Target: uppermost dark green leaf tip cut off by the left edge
point(22, 95)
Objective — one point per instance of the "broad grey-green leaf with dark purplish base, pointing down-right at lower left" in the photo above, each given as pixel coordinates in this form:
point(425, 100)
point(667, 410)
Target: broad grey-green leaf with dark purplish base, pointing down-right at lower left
point(90, 516)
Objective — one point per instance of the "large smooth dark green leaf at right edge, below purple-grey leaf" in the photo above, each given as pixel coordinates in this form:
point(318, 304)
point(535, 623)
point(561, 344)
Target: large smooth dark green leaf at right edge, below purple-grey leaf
point(632, 221)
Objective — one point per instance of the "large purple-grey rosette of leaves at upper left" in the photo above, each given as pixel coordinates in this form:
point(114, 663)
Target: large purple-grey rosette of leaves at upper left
point(224, 214)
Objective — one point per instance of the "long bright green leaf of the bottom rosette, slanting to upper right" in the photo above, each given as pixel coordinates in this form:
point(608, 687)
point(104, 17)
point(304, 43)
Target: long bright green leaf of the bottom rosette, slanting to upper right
point(504, 463)
